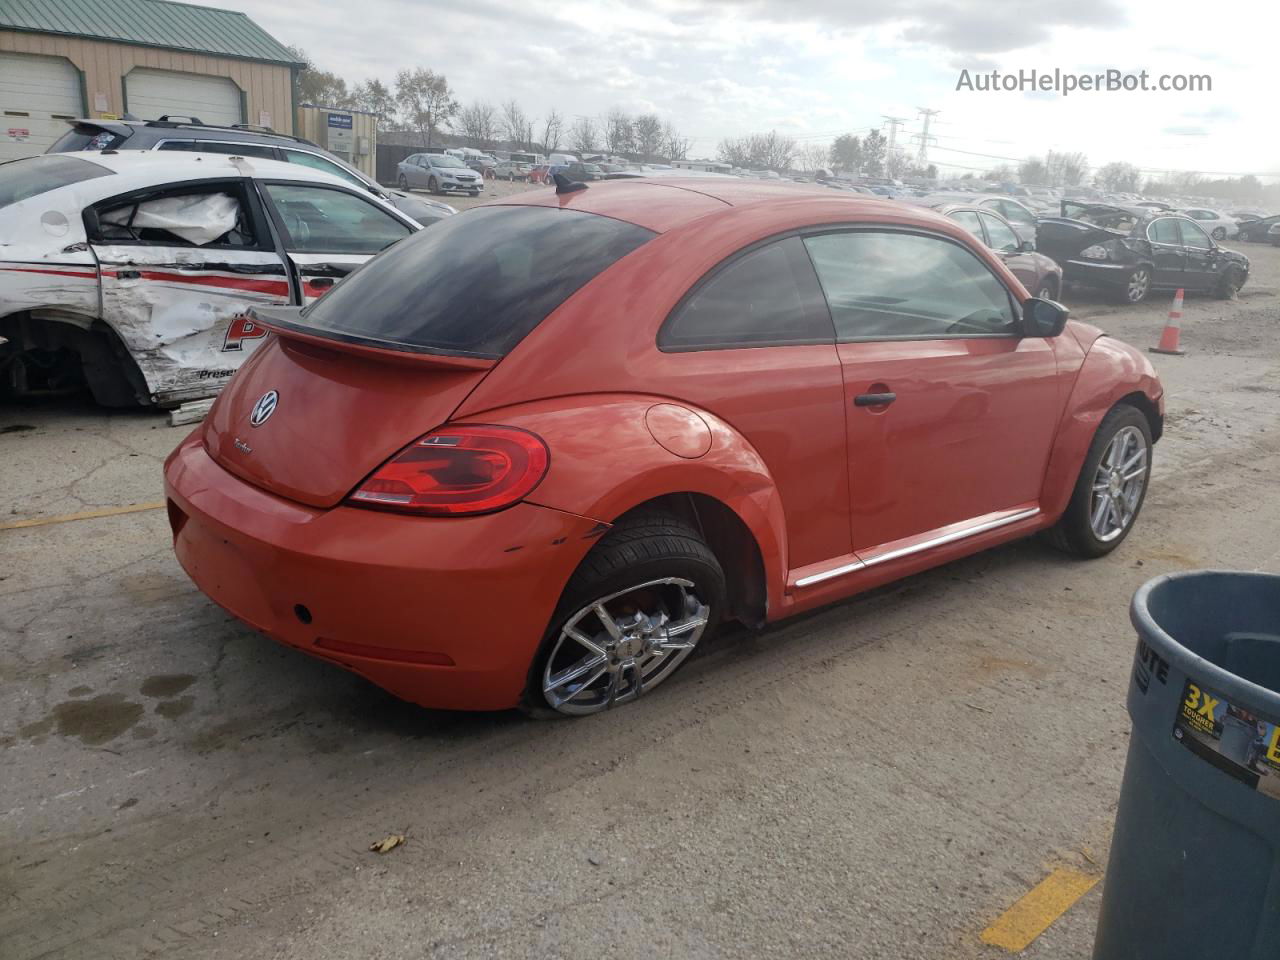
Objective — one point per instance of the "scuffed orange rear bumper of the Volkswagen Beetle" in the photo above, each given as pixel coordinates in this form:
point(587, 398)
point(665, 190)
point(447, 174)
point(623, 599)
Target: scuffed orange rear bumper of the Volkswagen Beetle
point(444, 612)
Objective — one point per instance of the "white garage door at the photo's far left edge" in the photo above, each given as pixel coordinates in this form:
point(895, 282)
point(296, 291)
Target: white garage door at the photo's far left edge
point(38, 97)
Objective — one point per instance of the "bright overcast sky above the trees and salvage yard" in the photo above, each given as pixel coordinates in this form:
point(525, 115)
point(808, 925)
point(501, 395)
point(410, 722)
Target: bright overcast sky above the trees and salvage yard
point(815, 68)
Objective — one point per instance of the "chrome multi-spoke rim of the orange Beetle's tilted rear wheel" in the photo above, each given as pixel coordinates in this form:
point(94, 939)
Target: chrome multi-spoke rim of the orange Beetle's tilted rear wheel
point(623, 646)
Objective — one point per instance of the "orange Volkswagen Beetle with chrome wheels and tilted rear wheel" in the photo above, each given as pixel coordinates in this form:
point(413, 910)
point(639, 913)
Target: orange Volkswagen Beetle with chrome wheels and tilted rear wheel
point(537, 454)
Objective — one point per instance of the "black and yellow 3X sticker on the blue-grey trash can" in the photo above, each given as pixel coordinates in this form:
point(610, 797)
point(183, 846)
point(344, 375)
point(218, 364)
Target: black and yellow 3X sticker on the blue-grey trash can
point(1240, 743)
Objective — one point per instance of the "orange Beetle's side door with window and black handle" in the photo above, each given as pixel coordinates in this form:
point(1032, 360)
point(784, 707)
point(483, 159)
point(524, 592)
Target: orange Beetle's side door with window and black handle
point(950, 410)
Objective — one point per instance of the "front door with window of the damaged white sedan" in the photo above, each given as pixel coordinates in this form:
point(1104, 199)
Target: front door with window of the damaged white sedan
point(328, 231)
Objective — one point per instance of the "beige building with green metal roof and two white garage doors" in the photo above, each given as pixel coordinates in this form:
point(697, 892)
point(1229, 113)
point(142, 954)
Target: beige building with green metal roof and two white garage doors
point(62, 60)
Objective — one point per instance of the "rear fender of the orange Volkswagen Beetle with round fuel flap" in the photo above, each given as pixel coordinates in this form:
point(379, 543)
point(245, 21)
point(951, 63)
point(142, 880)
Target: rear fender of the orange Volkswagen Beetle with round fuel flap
point(606, 460)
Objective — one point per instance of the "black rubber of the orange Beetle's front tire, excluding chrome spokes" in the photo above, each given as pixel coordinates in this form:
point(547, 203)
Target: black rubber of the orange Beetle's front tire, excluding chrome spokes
point(1077, 533)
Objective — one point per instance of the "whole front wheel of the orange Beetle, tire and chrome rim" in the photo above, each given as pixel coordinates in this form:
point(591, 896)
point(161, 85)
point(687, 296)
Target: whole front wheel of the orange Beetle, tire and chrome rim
point(1112, 488)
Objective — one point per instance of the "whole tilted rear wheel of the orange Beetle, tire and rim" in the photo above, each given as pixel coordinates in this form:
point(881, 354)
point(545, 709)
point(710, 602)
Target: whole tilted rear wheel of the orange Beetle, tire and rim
point(633, 612)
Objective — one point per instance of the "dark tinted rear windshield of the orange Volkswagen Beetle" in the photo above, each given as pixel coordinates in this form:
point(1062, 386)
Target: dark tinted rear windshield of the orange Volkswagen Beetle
point(474, 285)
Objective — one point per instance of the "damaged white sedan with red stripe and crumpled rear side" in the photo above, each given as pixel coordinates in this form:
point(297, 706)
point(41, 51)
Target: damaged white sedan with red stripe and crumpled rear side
point(135, 272)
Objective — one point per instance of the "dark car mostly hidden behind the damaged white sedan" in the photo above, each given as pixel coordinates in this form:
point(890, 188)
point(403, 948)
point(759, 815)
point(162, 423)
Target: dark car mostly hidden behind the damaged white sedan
point(243, 140)
